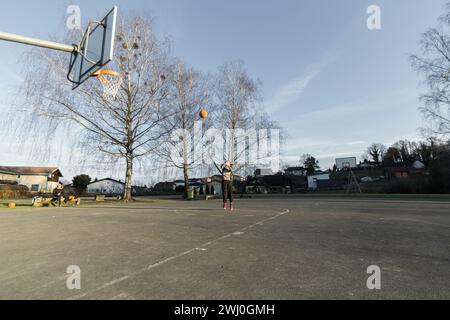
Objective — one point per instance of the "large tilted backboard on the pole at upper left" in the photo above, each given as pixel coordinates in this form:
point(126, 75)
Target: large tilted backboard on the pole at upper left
point(95, 51)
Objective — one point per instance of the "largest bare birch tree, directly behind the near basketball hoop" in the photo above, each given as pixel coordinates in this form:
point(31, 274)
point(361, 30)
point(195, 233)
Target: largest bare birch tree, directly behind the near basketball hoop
point(129, 127)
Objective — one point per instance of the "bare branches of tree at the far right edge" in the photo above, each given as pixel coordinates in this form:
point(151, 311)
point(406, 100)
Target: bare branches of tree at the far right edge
point(434, 63)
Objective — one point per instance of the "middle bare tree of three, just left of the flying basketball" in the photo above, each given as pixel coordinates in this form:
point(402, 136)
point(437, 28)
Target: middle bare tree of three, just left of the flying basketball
point(189, 94)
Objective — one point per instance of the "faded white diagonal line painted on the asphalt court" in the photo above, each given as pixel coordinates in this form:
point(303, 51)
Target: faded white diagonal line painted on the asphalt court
point(159, 263)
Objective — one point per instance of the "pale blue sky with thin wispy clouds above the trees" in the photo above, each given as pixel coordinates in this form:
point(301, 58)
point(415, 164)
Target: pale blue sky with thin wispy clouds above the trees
point(334, 85)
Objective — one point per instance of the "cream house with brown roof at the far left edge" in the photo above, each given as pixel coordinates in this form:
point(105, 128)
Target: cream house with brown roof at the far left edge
point(37, 179)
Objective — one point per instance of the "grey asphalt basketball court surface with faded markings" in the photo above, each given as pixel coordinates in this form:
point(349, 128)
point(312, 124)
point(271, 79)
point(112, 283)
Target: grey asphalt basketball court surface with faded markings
point(266, 249)
